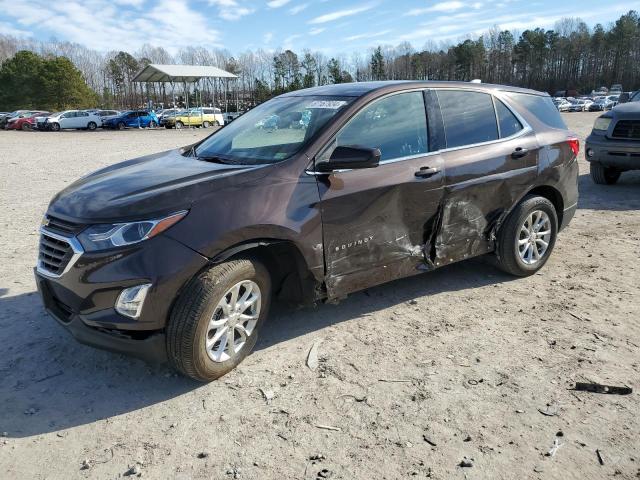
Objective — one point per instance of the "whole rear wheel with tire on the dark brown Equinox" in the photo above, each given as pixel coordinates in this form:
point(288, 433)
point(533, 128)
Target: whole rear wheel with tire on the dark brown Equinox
point(511, 235)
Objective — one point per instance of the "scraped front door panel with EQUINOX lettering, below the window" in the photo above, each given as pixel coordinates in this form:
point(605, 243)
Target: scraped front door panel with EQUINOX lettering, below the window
point(376, 222)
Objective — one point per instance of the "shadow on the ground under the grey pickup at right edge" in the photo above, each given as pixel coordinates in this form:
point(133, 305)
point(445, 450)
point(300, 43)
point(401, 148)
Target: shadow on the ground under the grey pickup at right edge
point(624, 195)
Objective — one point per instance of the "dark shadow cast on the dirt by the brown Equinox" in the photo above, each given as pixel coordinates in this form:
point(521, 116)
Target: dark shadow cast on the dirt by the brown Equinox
point(49, 382)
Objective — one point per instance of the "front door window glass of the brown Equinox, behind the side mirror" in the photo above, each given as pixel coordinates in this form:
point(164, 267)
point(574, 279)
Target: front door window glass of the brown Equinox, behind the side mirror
point(397, 125)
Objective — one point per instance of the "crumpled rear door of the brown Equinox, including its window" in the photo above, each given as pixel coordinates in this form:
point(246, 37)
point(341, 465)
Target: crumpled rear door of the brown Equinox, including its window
point(491, 161)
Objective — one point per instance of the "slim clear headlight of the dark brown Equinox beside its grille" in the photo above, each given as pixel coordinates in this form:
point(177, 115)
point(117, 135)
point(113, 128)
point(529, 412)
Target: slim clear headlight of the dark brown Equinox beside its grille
point(110, 235)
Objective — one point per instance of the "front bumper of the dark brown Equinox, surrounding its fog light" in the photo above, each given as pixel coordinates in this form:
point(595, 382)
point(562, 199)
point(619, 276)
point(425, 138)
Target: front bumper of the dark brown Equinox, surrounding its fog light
point(82, 300)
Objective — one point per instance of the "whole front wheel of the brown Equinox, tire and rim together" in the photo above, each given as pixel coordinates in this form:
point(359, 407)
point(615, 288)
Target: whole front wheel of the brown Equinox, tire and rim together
point(189, 322)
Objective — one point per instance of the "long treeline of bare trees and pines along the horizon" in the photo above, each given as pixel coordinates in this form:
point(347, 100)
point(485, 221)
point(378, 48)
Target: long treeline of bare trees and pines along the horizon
point(570, 56)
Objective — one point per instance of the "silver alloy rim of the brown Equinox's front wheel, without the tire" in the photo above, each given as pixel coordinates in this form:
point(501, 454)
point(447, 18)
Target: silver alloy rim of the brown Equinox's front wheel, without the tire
point(233, 321)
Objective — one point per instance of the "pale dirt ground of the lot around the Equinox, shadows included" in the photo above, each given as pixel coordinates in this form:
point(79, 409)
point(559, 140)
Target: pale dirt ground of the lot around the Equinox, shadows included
point(414, 375)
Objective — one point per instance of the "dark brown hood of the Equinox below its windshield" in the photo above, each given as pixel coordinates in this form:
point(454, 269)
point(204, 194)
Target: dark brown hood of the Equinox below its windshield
point(146, 187)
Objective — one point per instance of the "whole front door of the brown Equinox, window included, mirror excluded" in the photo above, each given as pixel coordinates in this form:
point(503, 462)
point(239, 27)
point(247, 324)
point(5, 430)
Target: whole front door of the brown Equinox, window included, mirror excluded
point(376, 221)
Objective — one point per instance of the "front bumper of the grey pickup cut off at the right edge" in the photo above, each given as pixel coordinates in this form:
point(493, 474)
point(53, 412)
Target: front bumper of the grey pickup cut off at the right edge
point(622, 154)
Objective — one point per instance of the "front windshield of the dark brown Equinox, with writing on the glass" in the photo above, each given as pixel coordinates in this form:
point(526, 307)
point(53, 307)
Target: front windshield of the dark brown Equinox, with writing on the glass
point(273, 131)
